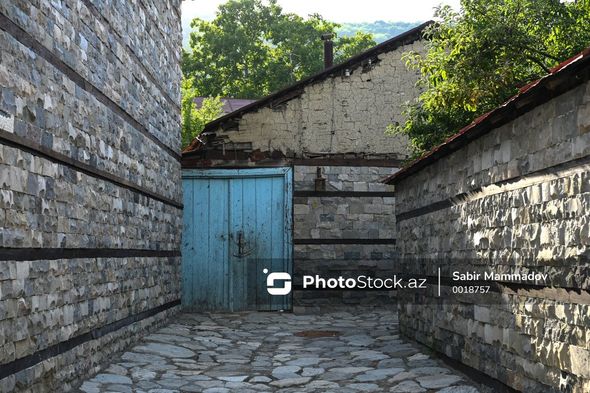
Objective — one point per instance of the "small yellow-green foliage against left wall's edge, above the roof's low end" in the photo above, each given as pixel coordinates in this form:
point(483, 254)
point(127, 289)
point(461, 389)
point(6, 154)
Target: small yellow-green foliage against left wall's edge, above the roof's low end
point(193, 120)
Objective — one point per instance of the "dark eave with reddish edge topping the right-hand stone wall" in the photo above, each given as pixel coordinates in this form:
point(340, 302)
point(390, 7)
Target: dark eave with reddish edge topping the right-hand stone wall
point(562, 78)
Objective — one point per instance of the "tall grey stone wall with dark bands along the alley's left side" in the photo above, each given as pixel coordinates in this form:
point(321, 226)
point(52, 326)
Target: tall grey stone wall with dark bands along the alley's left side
point(90, 197)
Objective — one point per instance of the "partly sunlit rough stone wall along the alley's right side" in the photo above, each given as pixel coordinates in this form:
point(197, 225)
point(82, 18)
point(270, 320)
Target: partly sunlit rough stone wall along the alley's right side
point(523, 207)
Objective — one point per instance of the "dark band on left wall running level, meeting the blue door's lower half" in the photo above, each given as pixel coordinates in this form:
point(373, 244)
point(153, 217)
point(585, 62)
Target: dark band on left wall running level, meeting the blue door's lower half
point(33, 254)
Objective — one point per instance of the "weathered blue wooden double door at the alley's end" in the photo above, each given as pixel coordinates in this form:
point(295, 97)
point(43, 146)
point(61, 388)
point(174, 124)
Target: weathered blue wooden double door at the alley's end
point(237, 231)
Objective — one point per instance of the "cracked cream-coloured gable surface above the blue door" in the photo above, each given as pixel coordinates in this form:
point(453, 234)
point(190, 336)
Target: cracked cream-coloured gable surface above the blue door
point(338, 114)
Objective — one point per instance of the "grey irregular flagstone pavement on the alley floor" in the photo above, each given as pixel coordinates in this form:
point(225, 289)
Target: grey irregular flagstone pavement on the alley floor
point(273, 352)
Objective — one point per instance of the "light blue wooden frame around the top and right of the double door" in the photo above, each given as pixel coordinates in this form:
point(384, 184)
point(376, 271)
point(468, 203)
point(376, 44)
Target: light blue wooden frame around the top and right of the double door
point(233, 173)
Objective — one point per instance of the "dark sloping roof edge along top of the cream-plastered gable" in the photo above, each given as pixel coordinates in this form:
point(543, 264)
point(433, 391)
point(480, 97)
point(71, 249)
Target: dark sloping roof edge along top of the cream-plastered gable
point(408, 37)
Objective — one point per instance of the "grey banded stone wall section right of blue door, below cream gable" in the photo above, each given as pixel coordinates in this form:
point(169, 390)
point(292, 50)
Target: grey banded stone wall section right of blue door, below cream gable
point(357, 210)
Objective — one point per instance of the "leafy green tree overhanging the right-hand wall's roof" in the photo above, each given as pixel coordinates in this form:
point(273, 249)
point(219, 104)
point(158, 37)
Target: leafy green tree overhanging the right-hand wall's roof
point(477, 58)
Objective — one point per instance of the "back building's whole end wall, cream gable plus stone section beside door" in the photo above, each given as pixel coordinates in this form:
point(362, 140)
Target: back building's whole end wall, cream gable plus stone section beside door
point(335, 121)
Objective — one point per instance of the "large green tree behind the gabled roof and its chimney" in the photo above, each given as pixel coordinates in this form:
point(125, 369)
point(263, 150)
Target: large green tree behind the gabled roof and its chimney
point(252, 48)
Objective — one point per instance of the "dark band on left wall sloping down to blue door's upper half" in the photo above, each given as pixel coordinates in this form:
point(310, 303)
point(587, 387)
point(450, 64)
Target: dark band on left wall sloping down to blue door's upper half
point(34, 148)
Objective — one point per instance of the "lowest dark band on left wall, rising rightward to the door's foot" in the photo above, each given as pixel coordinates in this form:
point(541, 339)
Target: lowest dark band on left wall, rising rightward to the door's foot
point(62, 347)
